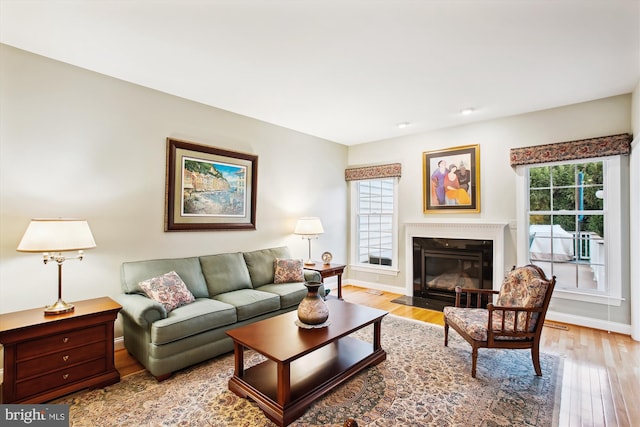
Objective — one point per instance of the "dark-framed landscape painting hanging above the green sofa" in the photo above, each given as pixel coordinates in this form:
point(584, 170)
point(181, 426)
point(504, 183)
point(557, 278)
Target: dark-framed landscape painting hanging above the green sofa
point(209, 188)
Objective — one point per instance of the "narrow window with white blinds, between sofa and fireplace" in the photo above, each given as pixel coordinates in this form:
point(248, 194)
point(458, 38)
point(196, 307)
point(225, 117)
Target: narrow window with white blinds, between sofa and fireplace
point(374, 230)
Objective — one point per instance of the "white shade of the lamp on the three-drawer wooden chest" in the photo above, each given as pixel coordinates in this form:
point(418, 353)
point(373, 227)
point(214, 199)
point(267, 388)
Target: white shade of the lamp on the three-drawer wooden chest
point(57, 235)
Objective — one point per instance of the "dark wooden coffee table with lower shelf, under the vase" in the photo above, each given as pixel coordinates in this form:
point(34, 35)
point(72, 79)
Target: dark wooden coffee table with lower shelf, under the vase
point(303, 364)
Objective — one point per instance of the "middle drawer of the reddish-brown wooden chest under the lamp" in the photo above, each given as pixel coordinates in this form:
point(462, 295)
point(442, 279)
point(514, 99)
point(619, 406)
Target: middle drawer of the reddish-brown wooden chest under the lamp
point(60, 360)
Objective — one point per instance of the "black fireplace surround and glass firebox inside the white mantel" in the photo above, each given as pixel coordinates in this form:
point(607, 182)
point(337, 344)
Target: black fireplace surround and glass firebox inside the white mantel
point(439, 265)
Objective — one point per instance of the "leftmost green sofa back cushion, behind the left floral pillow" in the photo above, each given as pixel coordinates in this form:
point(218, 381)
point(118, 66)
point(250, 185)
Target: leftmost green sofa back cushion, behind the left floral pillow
point(132, 273)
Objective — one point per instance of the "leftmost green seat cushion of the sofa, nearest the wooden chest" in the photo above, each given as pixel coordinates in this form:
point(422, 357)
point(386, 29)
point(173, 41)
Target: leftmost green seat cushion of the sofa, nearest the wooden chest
point(202, 315)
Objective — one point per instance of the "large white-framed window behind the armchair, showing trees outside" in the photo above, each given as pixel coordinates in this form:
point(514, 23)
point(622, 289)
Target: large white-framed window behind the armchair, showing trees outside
point(573, 230)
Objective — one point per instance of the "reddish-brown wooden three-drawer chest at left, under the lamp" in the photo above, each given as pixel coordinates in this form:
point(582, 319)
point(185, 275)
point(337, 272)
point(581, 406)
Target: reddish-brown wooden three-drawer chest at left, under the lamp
point(49, 356)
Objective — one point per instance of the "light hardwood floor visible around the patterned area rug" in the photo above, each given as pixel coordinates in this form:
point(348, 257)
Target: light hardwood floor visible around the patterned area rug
point(601, 374)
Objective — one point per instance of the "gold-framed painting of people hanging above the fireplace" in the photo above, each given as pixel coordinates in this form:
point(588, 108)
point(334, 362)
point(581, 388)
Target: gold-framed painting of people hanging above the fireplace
point(451, 180)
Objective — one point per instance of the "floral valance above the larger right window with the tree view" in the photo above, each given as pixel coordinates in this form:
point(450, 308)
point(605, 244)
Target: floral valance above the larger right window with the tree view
point(612, 145)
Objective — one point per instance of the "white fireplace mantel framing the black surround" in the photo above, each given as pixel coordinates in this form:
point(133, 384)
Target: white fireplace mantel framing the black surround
point(457, 229)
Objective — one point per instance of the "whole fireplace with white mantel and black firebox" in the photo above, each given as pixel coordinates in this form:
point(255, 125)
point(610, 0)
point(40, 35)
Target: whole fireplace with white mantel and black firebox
point(445, 253)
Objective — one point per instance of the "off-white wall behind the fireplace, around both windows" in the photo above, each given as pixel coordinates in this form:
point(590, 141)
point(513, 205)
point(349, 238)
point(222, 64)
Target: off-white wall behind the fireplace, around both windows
point(497, 183)
